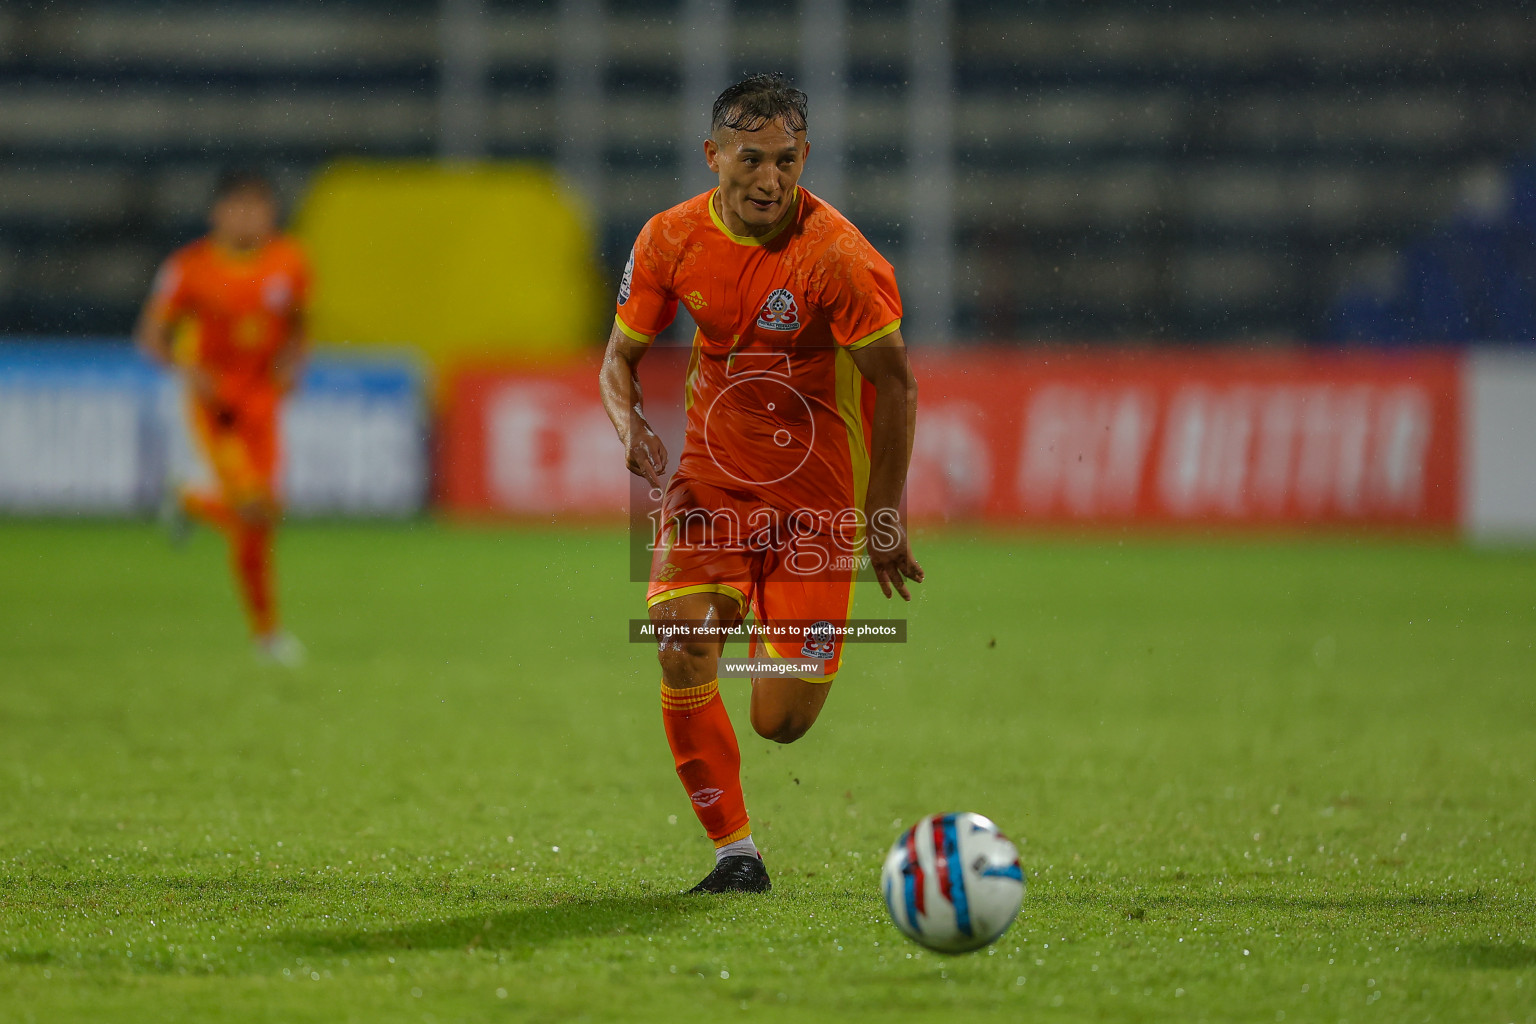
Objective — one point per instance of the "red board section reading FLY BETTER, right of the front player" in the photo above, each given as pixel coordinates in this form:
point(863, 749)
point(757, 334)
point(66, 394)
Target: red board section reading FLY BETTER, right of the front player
point(1242, 438)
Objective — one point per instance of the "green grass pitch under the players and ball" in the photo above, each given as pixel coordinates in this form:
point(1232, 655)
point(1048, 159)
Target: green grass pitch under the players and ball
point(1253, 782)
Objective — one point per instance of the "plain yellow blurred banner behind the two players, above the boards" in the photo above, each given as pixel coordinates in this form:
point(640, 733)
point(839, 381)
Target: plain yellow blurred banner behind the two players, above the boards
point(452, 260)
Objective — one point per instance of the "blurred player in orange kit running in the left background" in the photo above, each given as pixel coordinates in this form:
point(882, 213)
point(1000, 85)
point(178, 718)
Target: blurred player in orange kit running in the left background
point(228, 314)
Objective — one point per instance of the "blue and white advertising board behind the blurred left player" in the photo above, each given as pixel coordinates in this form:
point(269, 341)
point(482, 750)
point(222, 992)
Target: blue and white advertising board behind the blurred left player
point(91, 428)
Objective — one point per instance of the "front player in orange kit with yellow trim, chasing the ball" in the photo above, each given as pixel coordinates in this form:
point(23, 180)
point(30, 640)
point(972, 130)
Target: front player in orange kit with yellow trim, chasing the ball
point(801, 409)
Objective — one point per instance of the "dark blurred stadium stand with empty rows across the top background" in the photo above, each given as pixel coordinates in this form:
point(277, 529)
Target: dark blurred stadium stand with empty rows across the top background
point(1125, 171)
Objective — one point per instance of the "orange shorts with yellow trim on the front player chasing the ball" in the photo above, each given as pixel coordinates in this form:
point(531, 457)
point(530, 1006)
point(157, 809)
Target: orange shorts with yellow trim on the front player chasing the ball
point(793, 578)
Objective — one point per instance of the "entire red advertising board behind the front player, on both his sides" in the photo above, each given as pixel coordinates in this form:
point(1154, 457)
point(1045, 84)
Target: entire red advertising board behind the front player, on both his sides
point(1041, 438)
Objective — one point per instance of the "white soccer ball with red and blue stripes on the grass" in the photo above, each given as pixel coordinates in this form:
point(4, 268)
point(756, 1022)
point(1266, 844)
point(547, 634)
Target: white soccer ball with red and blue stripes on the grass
point(953, 884)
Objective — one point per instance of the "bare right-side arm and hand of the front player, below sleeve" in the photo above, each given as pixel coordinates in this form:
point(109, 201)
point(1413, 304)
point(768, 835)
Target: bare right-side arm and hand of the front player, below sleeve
point(886, 366)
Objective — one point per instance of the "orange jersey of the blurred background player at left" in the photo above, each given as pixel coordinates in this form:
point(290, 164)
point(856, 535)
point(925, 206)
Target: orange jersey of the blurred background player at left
point(242, 309)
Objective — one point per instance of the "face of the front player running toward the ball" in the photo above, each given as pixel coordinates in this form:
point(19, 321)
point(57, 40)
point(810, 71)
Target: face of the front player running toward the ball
point(758, 174)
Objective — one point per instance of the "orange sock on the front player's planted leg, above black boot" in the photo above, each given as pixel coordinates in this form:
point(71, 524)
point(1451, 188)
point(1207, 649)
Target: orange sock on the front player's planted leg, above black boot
point(707, 758)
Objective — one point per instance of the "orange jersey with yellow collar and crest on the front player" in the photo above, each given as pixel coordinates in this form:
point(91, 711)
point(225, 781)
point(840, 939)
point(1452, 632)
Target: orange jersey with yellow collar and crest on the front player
point(776, 408)
